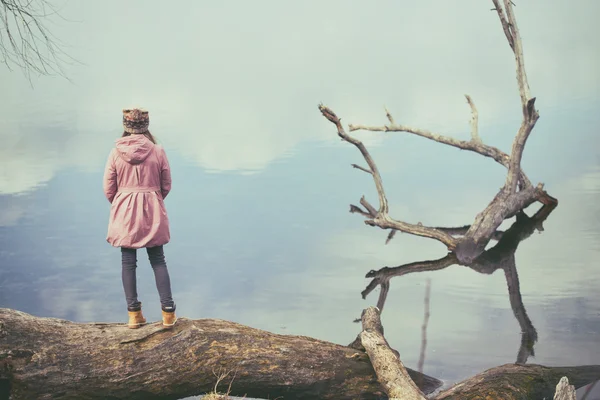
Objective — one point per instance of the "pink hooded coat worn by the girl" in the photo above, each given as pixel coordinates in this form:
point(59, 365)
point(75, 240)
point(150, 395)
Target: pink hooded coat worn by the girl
point(137, 178)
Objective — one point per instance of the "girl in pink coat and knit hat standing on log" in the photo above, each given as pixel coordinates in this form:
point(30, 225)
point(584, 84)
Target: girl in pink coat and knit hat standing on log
point(137, 178)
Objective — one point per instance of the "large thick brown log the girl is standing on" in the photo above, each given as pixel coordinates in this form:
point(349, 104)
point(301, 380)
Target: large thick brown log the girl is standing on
point(48, 358)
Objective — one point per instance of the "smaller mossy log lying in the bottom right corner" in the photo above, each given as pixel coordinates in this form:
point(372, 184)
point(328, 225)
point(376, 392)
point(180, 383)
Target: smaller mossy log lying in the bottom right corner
point(519, 382)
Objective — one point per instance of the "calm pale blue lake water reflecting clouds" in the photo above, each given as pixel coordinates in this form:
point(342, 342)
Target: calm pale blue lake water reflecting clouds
point(261, 233)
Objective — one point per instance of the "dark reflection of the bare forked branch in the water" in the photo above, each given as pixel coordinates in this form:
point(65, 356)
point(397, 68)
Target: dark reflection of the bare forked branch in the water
point(501, 256)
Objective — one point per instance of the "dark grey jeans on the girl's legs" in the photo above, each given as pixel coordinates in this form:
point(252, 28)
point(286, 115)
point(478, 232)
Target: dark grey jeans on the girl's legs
point(161, 275)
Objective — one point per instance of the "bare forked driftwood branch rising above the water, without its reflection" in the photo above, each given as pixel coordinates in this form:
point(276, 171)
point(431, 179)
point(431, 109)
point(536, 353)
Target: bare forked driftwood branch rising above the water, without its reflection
point(516, 194)
